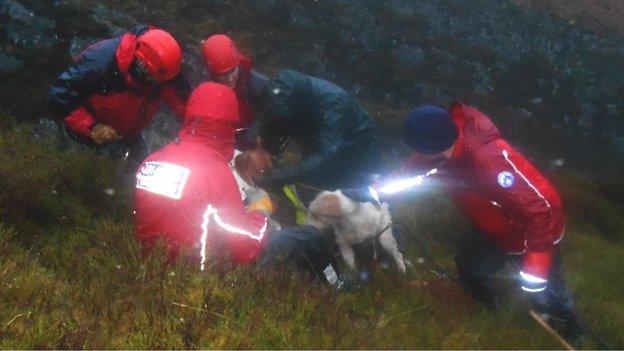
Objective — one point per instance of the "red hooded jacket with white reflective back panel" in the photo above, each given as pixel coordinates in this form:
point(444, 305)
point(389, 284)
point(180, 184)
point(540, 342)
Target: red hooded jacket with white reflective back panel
point(177, 207)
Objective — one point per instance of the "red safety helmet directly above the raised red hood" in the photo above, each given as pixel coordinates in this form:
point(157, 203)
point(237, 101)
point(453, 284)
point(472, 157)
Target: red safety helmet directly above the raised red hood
point(220, 54)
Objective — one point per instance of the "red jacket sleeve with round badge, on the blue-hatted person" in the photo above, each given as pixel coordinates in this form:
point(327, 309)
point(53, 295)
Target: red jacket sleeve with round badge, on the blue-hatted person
point(516, 188)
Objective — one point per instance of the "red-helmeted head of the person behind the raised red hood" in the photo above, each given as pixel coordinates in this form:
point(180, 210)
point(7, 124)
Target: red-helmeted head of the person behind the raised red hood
point(222, 59)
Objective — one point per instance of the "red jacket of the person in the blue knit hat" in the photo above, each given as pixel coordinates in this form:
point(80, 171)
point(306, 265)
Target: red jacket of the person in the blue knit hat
point(501, 192)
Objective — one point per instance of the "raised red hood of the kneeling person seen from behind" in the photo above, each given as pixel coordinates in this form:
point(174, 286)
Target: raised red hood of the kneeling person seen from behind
point(211, 118)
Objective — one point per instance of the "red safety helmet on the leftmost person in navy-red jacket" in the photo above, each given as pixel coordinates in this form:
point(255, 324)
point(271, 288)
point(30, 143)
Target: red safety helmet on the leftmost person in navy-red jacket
point(160, 53)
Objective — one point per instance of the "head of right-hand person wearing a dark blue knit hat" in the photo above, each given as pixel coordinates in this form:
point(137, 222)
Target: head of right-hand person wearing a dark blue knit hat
point(430, 133)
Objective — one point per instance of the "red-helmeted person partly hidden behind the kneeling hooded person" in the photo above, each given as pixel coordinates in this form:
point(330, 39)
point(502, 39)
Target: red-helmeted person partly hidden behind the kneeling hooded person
point(228, 66)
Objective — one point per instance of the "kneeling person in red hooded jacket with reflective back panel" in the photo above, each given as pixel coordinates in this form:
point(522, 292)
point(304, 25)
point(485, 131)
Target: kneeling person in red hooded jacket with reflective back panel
point(186, 194)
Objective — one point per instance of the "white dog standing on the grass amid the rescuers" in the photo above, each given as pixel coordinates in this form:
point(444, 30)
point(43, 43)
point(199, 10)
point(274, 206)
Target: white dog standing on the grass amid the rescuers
point(353, 223)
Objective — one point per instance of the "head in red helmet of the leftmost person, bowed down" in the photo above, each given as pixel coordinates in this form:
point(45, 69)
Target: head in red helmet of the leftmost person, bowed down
point(157, 57)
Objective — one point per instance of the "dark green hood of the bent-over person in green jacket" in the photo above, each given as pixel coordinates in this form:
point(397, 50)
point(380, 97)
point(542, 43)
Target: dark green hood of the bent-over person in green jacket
point(289, 95)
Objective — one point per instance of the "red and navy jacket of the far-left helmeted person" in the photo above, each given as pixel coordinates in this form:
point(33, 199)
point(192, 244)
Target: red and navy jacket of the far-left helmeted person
point(99, 89)
